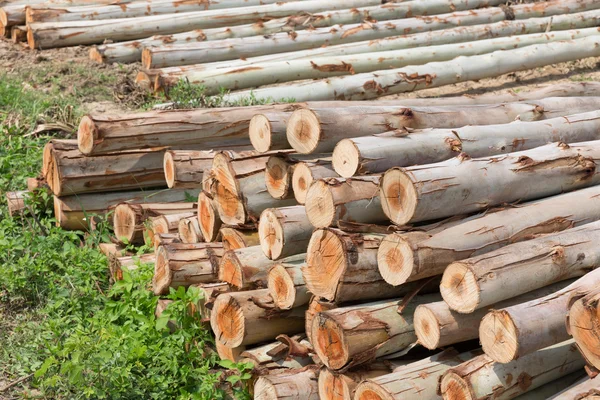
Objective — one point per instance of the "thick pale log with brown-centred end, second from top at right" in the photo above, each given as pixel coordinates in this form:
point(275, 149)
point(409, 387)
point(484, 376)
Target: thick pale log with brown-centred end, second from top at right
point(413, 194)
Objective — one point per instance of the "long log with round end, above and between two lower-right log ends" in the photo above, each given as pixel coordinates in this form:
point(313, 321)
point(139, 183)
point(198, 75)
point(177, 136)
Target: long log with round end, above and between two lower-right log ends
point(473, 283)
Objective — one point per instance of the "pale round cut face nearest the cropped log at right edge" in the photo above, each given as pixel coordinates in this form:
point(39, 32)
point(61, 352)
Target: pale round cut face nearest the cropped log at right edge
point(498, 335)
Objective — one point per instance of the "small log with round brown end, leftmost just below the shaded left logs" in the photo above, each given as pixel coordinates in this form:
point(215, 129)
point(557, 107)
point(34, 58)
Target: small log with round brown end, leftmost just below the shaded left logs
point(129, 219)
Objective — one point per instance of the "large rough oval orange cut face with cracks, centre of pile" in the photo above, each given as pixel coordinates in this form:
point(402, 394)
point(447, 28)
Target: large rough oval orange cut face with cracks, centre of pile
point(326, 260)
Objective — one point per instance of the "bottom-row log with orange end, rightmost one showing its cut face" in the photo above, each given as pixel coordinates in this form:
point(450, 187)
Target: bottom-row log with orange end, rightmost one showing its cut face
point(481, 377)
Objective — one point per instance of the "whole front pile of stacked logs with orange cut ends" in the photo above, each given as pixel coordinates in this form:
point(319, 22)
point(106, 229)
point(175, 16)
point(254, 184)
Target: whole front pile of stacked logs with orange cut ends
point(363, 251)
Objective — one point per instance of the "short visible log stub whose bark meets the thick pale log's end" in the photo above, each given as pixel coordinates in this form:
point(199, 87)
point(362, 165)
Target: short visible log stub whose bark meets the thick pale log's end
point(331, 200)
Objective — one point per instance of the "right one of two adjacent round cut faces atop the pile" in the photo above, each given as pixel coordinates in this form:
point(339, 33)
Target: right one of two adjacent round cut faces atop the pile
point(303, 131)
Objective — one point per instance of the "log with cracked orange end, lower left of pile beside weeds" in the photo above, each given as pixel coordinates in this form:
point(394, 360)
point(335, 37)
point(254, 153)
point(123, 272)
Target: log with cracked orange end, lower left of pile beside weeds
point(245, 318)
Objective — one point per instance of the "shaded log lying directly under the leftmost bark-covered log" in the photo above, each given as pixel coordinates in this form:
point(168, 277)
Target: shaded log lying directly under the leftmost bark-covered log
point(75, 212)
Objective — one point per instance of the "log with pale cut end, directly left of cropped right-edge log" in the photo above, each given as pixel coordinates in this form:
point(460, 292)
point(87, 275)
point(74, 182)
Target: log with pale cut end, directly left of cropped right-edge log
point(509, 333)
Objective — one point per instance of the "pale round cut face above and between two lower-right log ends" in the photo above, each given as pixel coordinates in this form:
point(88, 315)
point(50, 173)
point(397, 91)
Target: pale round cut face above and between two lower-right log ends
point(459, 288)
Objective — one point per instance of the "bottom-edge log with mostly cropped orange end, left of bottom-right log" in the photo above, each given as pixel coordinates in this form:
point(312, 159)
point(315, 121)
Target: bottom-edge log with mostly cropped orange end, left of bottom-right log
point(415, 380)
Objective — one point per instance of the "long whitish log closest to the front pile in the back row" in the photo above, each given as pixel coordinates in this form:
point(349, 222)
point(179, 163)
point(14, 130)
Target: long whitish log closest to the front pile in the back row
point(372, 85)
